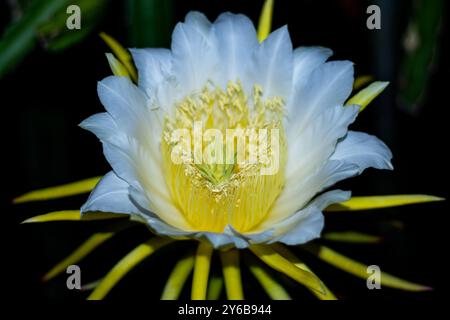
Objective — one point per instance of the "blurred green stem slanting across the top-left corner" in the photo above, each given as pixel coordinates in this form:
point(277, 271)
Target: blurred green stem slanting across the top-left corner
point(20, 37)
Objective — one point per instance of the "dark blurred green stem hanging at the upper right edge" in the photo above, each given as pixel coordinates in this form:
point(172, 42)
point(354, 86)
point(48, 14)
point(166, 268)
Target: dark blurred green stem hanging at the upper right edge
point(420, 43)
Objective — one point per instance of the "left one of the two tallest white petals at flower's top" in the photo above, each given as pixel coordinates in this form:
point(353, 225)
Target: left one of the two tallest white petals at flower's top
point(194, 53)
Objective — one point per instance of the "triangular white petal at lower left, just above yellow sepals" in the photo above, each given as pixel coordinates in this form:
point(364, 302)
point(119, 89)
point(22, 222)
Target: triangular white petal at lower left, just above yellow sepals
point(110, 195)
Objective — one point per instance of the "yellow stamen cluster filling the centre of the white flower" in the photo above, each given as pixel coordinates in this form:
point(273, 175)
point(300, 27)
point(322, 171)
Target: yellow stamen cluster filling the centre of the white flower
point(218, 182)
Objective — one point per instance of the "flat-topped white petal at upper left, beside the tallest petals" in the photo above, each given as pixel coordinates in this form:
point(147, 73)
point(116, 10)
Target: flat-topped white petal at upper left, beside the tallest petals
point(153, 67)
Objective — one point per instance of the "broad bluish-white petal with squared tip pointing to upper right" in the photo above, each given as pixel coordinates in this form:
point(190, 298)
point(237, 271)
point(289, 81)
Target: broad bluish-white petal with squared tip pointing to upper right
point(327, 86)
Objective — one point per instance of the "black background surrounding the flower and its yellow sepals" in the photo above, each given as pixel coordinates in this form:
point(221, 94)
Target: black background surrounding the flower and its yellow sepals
point(47, 95)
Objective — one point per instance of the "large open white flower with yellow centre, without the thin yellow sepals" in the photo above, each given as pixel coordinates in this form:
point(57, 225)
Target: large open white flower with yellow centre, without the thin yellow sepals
point(220, 74)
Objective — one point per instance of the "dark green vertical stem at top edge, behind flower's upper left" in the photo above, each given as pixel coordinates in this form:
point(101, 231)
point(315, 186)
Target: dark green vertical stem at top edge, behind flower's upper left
point(149, 22)
